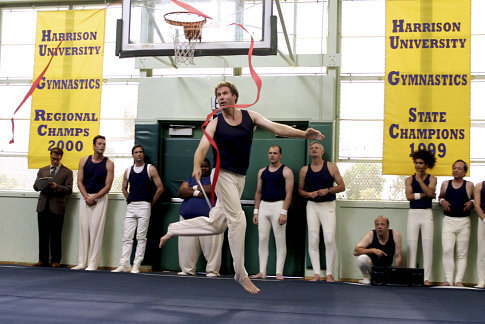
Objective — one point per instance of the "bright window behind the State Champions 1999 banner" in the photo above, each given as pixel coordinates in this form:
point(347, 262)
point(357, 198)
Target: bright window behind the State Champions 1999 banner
point(362, 102)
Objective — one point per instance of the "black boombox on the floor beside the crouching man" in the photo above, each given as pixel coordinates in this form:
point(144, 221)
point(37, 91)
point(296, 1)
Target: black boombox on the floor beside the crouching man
point(382, 276)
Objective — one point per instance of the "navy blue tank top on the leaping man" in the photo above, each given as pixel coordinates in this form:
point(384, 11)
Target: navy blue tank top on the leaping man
point(234, 143)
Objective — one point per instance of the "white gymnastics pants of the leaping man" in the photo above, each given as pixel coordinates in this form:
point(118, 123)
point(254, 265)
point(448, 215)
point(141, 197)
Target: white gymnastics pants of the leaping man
point(227, 213)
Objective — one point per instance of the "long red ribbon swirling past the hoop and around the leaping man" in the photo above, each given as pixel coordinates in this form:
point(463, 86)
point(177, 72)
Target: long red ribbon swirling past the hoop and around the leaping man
point(254, 76)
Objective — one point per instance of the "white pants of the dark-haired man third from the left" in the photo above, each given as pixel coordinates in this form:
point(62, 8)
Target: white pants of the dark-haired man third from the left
point(137, 218)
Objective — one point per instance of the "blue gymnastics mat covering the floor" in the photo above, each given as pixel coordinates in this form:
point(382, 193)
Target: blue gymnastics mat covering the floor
point(48, 295)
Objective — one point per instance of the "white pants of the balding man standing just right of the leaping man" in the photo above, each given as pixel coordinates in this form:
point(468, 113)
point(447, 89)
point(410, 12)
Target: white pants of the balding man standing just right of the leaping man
point(269, 214)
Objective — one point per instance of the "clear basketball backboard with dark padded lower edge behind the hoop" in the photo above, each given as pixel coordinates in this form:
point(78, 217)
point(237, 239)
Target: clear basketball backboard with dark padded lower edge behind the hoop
point(144, 31)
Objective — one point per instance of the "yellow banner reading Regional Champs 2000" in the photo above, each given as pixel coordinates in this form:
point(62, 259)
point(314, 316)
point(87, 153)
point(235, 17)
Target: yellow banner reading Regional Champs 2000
point(66, 103)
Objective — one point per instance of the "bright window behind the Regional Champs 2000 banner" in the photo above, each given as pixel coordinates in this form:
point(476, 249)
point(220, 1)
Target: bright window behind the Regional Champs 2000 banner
point(118, 102)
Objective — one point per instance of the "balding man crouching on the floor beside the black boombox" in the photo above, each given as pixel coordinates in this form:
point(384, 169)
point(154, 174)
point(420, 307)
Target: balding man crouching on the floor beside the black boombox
point(378, 248)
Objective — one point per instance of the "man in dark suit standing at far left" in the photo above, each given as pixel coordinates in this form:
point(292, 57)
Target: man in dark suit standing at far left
point(54, 183)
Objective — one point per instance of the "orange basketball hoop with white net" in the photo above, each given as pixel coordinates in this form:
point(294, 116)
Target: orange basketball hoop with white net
point(192, 25)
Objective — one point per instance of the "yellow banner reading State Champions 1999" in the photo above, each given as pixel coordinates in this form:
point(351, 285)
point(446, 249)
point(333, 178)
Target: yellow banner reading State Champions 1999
point(427, 89)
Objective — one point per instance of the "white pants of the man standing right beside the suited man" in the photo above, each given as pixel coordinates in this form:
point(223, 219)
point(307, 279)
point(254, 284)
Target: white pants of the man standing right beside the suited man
point(91, 230)
